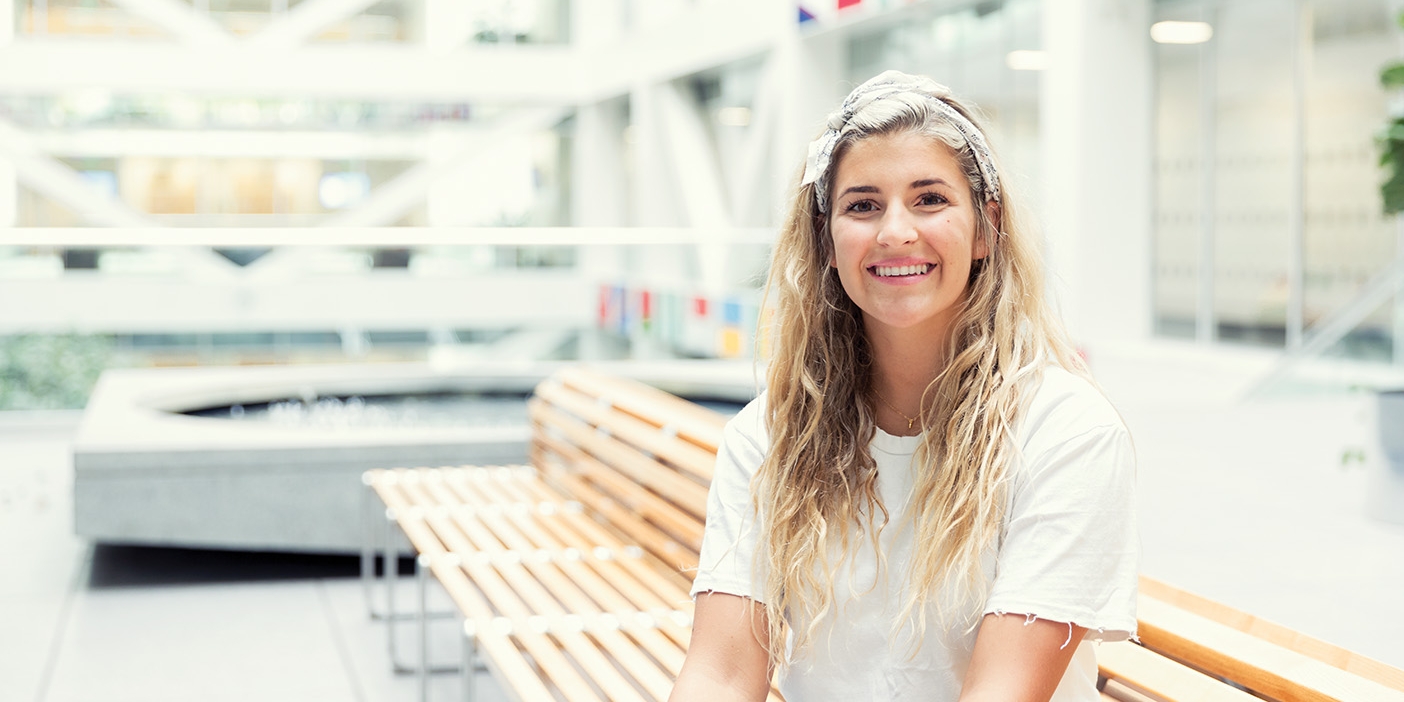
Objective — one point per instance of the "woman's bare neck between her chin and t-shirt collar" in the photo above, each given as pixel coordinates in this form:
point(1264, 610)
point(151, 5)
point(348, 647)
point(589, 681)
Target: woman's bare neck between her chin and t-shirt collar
point(903, 367)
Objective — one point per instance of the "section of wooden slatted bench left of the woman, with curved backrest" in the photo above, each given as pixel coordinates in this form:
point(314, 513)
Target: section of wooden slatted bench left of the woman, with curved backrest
point(574, 574)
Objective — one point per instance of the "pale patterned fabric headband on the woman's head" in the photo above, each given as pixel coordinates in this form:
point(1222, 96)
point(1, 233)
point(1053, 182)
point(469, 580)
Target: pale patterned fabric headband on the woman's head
point(884, 86)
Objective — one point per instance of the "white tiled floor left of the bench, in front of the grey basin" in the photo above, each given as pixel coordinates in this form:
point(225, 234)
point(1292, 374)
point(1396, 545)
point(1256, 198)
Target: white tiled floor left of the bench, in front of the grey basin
point(154, 625)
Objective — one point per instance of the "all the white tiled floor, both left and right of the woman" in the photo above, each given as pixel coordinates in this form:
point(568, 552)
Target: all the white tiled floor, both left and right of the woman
point(1247, 503)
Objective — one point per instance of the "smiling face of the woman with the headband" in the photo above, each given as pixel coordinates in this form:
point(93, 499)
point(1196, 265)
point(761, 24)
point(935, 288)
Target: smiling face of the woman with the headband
point(905, 232)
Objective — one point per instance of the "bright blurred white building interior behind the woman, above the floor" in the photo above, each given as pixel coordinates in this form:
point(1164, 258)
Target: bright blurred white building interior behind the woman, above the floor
point(252, 182)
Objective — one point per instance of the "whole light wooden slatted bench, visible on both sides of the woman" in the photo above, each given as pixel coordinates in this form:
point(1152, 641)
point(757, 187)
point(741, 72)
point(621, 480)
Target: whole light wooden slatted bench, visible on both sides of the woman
point(572, 575)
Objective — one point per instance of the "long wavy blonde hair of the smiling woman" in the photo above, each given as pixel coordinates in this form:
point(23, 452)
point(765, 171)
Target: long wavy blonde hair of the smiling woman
point(816, 492)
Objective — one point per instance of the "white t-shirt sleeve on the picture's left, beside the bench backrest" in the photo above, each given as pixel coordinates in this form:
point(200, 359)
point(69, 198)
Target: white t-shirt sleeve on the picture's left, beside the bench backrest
point(728, 559)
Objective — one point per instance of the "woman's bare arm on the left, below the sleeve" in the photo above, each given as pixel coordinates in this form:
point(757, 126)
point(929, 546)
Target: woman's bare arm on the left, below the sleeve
point(728, 658)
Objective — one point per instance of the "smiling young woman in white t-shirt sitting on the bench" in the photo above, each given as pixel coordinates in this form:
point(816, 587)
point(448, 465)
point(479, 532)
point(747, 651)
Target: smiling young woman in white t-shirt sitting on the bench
point(930, 501)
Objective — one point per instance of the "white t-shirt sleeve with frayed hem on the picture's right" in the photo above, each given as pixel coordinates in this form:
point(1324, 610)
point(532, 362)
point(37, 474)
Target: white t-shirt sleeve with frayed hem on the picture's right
point(1072, 551)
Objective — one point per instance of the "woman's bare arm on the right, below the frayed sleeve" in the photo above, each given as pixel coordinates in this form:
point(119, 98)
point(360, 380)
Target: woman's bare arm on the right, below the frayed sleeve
point(1017, 662)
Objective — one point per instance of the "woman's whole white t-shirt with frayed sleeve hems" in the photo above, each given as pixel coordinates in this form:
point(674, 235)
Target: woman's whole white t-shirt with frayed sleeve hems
point(1069, 552)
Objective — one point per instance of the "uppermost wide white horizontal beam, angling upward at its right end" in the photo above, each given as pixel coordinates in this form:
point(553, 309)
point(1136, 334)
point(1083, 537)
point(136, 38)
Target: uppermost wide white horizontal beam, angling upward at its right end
point(700, 39)
